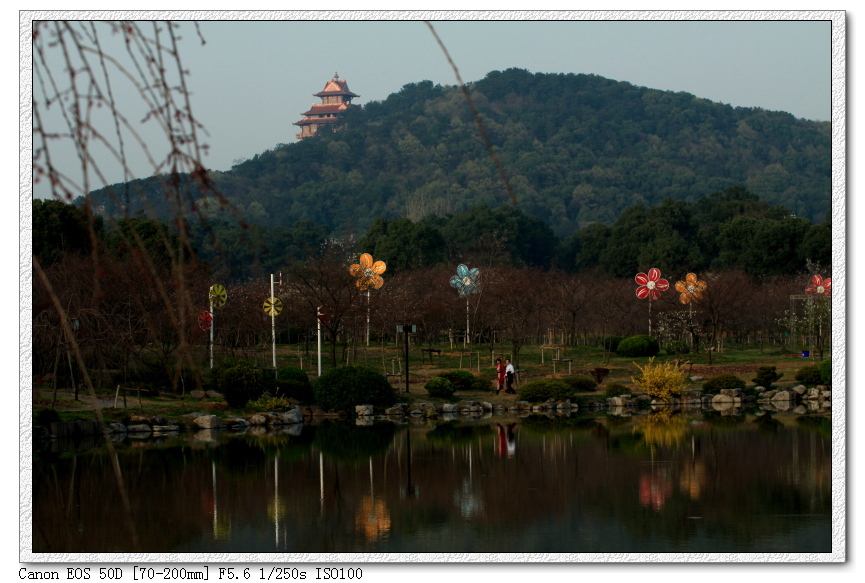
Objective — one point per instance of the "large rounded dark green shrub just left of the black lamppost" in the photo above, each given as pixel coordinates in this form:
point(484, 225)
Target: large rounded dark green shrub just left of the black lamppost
point(343, 387)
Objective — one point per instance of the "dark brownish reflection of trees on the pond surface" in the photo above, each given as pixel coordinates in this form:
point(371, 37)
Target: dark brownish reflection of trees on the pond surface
point(464, 495)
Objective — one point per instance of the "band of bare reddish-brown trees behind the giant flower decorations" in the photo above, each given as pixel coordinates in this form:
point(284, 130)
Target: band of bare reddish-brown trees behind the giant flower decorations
point(136, 290)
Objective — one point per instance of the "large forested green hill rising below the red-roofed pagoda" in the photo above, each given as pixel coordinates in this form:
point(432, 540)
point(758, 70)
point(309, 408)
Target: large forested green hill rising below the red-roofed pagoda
point(577, 149)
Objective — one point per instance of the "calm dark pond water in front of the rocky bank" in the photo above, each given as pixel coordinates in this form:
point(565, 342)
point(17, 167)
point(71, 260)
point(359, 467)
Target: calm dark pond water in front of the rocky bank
point(648, 484)
